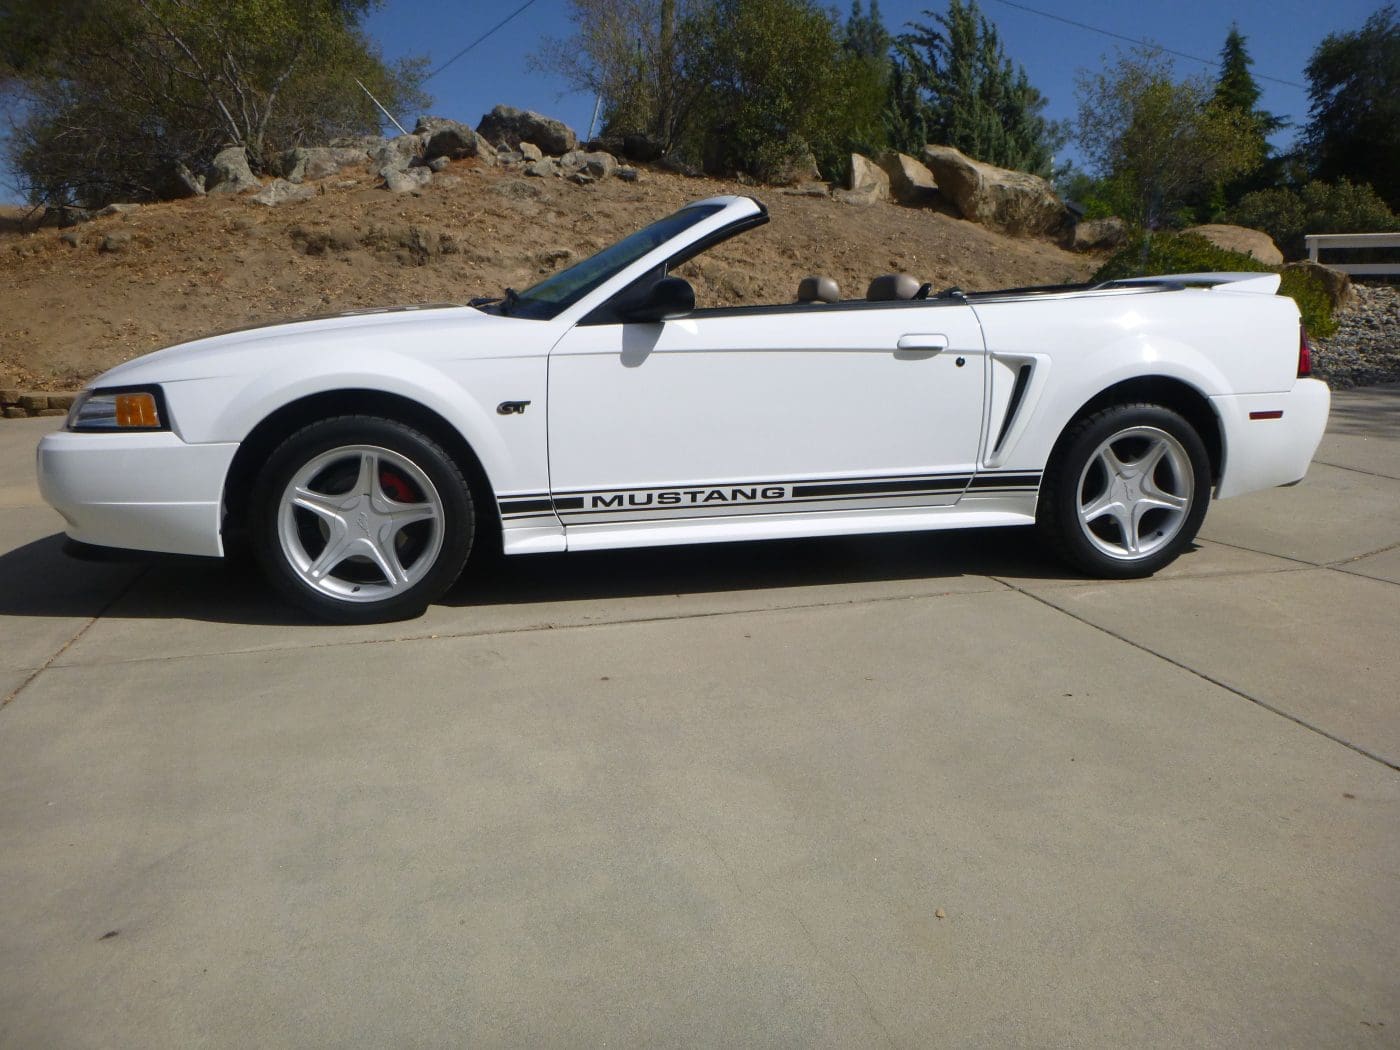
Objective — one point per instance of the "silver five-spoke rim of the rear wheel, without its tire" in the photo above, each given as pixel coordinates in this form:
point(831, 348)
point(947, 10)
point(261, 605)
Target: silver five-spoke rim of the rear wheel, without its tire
point(1135, 492)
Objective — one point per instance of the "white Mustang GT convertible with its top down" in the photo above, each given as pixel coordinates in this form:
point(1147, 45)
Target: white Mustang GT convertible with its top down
point(362, 454)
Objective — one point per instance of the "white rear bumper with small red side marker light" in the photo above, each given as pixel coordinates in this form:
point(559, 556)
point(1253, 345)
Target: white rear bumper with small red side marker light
point(1270, 439)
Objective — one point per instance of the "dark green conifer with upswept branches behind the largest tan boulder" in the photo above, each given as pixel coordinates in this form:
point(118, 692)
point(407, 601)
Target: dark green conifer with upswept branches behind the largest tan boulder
point(954, 85)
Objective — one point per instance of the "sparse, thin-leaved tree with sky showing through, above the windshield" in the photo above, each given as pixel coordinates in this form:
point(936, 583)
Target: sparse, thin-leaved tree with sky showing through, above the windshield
point(632, 55)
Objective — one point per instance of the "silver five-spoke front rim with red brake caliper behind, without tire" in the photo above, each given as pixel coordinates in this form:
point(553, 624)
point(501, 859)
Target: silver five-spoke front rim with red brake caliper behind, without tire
point(360, 523)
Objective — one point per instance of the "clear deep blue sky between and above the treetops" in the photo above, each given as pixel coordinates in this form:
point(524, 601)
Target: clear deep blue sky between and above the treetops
point(1282, 36)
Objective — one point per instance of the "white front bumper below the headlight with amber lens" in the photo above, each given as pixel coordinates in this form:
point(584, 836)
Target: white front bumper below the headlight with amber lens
point(141, 492)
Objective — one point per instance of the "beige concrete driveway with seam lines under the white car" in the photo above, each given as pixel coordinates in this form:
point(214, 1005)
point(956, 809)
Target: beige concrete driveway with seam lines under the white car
point(906, 792)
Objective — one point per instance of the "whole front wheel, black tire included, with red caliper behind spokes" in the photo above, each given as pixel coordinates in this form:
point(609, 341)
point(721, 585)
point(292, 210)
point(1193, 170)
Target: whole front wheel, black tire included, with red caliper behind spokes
point(366, 479)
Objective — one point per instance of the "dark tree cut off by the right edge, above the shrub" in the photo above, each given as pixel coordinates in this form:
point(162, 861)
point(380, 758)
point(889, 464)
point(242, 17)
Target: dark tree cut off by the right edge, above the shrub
point(1354, 87)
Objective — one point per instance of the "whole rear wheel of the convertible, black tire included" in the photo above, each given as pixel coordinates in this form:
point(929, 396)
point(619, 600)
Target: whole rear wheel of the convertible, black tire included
point(1123, 534)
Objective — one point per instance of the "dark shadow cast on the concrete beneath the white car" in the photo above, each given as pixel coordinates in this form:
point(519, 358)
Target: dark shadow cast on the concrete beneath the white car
point(41, 580)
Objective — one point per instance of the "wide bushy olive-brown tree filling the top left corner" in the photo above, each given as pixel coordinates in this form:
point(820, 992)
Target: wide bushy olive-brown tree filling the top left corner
point(117, 92)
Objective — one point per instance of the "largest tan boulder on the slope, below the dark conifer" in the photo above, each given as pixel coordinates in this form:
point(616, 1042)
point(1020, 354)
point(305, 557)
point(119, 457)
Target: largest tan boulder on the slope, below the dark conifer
point(1010, 202)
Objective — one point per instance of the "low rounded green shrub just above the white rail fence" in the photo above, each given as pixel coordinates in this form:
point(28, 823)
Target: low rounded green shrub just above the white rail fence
point(1321, 208)
